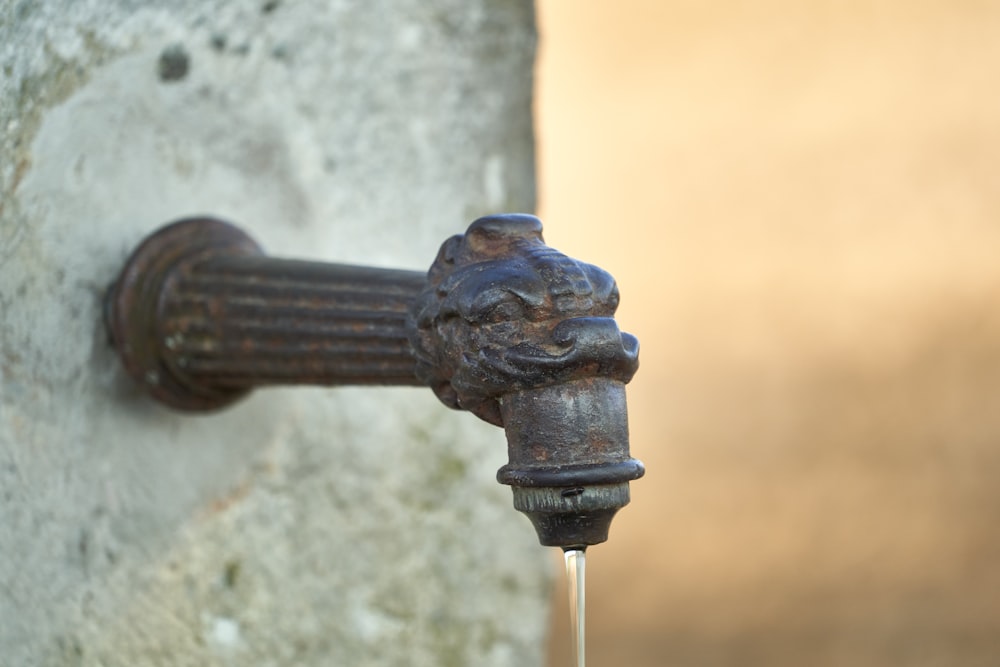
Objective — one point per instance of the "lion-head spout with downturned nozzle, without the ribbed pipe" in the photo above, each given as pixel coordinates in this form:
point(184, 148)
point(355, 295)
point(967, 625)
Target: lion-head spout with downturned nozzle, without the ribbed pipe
point(523, 337)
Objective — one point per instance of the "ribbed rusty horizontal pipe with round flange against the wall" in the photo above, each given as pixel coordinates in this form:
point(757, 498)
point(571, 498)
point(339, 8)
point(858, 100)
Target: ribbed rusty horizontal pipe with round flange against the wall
point(200, 316)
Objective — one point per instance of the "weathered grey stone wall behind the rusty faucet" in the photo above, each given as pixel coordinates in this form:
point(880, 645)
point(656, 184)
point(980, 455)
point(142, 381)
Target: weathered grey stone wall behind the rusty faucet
point(347, 526)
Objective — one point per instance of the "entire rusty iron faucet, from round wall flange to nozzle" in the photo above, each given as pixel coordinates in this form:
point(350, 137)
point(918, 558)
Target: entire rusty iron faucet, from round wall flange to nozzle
point(501, 326)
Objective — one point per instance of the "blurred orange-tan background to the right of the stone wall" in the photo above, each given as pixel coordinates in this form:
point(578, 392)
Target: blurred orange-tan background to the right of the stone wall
point(801, 204)
